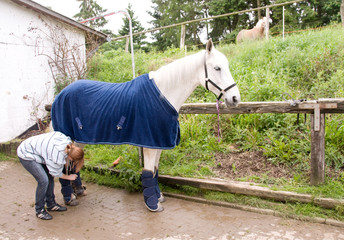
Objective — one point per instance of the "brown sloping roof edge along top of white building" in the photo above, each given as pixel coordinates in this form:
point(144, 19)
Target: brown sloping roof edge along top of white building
point(48, 12)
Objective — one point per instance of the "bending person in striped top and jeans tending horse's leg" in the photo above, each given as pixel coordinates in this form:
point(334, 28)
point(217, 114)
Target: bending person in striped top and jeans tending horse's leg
point(44, 156)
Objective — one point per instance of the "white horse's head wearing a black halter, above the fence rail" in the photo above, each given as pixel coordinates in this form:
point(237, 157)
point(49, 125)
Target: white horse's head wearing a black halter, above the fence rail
point(219, 79)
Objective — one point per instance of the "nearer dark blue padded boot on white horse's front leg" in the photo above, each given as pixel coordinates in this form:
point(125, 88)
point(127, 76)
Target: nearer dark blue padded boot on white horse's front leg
point(150, 192)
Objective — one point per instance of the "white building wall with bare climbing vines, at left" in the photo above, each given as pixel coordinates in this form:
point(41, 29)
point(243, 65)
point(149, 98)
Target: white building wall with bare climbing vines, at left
point(26, 82)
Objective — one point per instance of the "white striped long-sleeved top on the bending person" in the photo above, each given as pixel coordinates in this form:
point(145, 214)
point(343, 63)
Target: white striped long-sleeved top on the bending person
point(48, 149)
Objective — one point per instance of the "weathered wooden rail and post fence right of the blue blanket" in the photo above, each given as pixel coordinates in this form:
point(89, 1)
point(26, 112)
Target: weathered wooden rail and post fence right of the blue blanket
point(317, 109)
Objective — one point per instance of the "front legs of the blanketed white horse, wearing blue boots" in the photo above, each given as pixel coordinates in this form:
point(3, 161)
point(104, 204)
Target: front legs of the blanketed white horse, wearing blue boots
point(151, 191)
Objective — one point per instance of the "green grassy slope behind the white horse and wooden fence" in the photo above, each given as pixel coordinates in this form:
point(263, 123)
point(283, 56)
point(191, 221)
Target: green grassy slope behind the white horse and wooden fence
point(307, 65)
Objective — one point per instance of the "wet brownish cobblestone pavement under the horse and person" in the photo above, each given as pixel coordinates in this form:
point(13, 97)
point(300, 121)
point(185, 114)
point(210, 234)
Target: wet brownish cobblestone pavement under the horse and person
point(107, 213)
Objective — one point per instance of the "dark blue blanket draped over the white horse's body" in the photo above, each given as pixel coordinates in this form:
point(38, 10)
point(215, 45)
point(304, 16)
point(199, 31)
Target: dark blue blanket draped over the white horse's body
point(133, 112)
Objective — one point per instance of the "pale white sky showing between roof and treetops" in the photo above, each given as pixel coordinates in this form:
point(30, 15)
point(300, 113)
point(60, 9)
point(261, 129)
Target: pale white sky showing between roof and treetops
point(69, 8)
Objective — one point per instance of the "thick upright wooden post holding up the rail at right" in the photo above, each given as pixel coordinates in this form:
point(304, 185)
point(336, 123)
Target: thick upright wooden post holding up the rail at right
point(318, 151)
